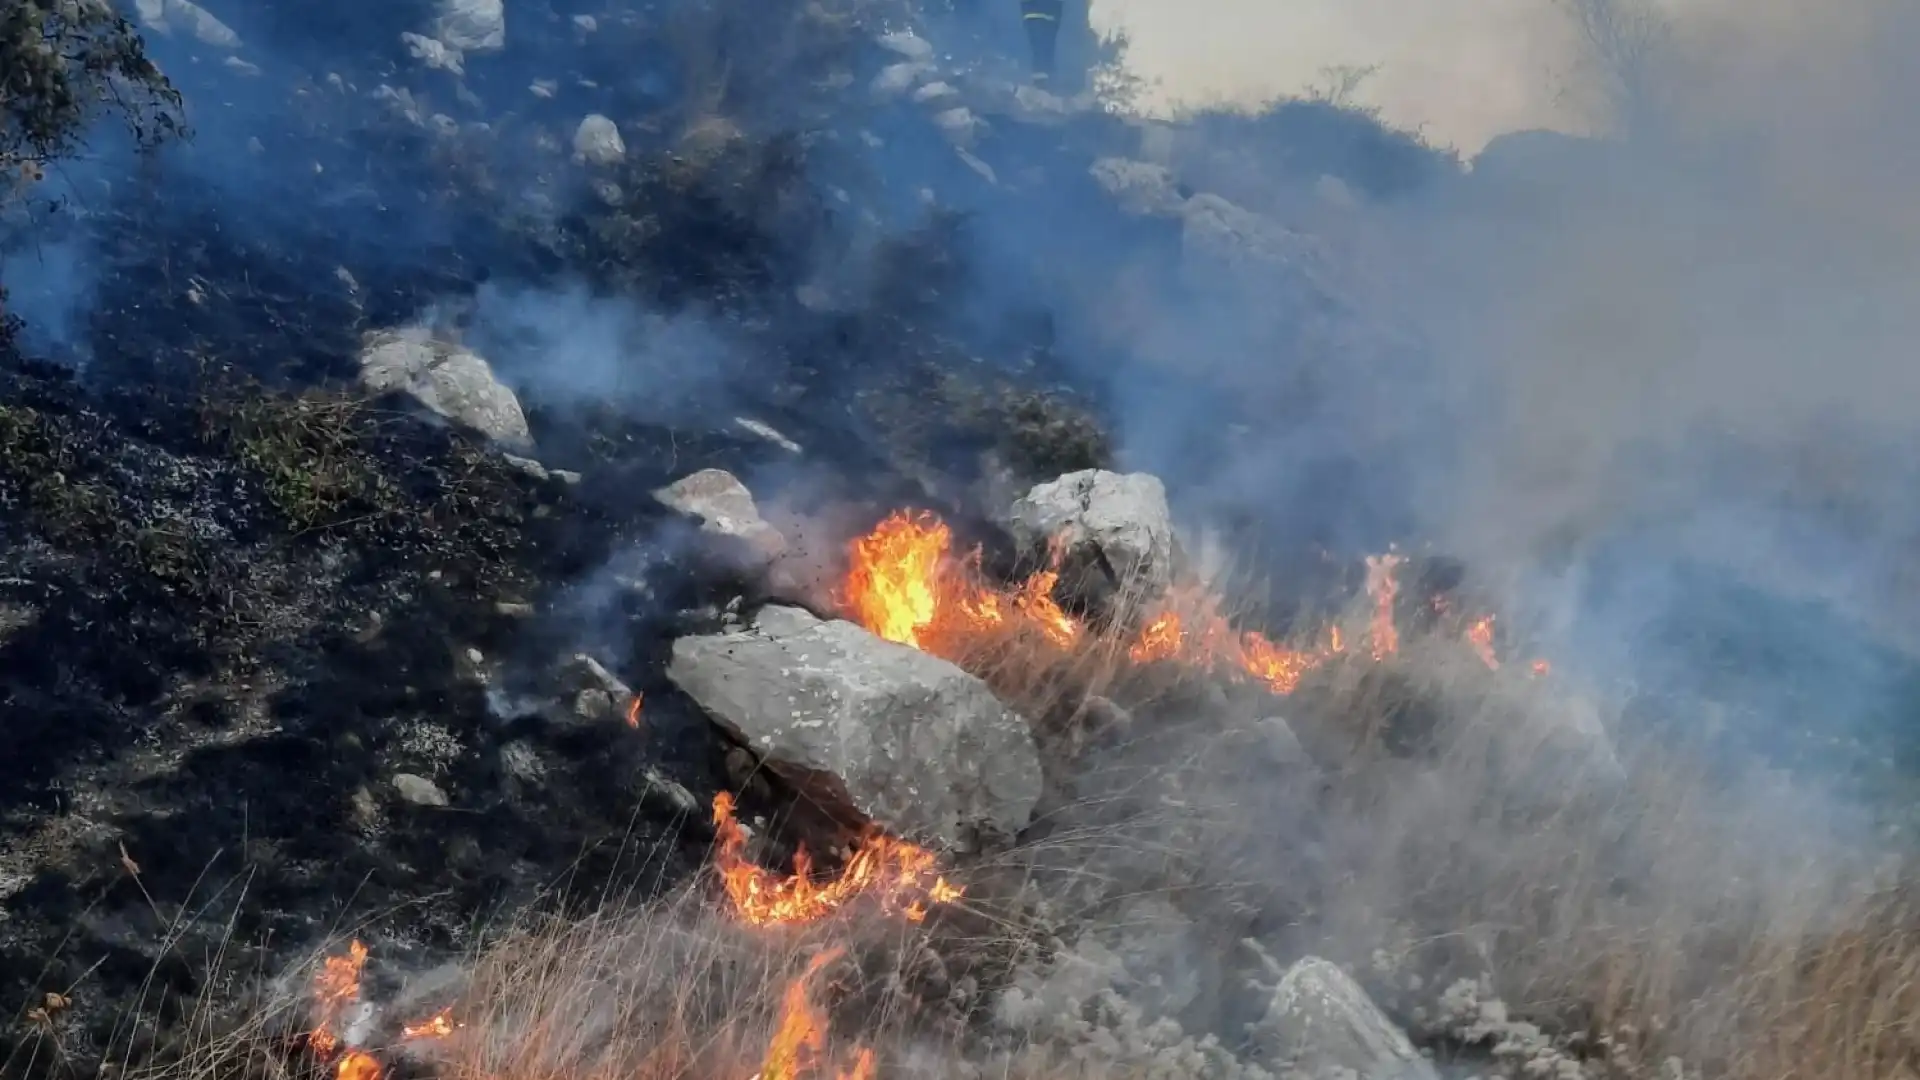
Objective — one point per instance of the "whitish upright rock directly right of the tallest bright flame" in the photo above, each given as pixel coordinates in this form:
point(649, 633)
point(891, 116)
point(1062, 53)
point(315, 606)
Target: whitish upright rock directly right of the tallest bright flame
point(1111, 531)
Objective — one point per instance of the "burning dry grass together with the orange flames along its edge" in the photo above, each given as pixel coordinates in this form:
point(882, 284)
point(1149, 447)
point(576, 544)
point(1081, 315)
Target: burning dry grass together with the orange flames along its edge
point(1639, 912)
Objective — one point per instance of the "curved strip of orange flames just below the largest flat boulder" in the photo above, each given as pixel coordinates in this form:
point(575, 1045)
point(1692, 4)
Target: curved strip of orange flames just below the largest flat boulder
point(900, 875)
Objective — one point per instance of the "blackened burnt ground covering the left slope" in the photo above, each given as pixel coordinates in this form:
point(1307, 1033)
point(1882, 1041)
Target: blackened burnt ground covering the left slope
point(239, 597)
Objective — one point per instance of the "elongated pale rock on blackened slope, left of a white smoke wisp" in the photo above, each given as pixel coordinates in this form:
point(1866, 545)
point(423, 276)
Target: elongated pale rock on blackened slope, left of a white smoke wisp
point(448, 381)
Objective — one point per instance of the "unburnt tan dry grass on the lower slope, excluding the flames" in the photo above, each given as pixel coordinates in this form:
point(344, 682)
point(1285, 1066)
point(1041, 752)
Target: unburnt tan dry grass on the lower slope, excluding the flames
point(1656, 910)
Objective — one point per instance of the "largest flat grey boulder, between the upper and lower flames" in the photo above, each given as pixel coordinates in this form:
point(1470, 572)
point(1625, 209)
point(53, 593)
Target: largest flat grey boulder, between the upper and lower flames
point(867, 727)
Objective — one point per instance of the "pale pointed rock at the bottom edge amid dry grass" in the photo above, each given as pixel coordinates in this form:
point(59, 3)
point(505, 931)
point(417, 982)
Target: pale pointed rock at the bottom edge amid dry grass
point(1322, 1023)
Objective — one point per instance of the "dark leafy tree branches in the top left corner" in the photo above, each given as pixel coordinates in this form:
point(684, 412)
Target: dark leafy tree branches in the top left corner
point(64, 64)
